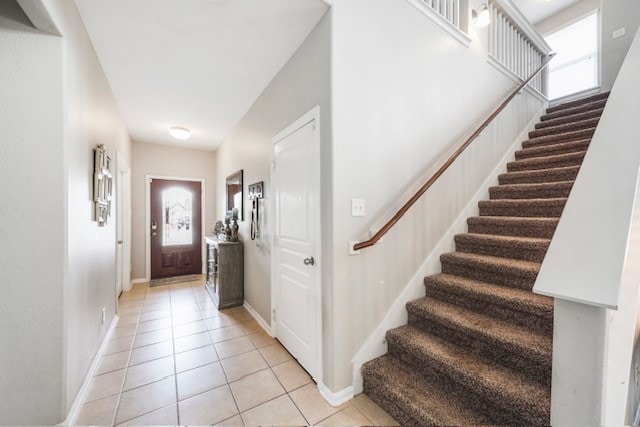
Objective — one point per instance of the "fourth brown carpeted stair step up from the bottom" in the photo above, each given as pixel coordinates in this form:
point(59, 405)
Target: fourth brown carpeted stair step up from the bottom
point(462, 289)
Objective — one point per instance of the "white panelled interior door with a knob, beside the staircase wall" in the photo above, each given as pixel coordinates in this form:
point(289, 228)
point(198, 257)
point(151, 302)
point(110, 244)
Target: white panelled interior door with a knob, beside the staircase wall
point(296, 284)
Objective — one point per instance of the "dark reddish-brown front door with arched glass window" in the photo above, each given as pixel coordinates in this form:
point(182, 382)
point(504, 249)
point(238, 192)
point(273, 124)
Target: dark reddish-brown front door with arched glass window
point(176, 222)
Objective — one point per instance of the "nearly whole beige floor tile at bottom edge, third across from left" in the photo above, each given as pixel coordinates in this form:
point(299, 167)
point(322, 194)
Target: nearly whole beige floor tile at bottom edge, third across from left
point(208, 408)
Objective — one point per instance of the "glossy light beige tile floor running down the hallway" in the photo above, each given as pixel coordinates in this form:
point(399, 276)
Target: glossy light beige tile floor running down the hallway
point(173, 359)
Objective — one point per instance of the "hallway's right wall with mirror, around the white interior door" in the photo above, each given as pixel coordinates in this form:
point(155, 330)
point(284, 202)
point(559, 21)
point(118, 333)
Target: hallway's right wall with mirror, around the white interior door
point(302, 83)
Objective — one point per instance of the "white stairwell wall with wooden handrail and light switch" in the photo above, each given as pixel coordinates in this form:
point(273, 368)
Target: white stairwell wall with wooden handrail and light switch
point(404, 91)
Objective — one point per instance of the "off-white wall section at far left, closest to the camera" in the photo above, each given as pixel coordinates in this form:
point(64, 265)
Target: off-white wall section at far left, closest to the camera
point(32, 218)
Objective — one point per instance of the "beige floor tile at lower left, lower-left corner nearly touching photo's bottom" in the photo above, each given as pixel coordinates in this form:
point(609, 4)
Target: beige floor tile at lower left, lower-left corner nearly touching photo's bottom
point(142, 400)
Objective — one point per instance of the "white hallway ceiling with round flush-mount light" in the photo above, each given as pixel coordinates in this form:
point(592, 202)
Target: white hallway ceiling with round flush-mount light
point(198, 64)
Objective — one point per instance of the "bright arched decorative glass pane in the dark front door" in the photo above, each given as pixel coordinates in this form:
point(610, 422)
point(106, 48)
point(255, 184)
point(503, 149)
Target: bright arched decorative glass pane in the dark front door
point(177, 217)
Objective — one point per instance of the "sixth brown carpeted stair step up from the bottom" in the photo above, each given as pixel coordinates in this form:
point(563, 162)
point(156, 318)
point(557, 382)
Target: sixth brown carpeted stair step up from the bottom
point(517, 247)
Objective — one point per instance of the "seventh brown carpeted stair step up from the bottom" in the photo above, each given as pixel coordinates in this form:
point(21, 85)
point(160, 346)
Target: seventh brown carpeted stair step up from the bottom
point(509, 226)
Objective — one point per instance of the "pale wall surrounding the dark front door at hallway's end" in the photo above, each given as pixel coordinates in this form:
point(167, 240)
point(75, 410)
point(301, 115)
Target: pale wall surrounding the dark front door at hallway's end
point(154, 159)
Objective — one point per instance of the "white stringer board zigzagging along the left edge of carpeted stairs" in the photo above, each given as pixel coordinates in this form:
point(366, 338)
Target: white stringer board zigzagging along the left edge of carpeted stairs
point(376, 344)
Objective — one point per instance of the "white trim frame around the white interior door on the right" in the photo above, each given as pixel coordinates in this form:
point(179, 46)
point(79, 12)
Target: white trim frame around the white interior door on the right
point(311, 116)
